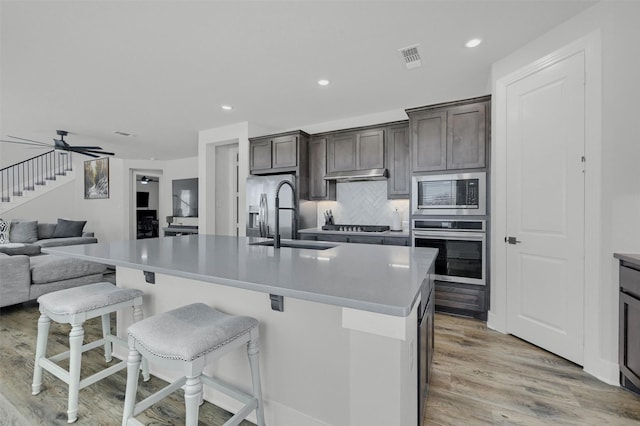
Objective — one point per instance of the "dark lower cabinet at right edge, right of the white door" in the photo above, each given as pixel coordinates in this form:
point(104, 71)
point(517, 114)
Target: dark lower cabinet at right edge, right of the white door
point(629, 349)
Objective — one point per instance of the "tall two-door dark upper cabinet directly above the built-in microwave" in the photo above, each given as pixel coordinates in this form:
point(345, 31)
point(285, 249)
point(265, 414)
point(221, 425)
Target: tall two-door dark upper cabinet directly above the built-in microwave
point(450, 136)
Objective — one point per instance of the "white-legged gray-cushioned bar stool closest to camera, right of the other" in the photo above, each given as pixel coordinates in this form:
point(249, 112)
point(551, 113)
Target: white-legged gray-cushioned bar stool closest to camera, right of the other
point(187, 339)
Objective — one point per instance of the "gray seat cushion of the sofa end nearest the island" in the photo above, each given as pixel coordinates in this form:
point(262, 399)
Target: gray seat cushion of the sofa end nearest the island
point(49, 268)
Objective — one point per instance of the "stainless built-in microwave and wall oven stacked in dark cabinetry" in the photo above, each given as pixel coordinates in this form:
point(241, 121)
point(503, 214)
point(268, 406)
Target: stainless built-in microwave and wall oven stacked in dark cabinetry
point(449, 214)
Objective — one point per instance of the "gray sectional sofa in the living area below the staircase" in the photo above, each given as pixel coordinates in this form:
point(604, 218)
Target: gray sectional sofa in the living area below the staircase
point(26, 274)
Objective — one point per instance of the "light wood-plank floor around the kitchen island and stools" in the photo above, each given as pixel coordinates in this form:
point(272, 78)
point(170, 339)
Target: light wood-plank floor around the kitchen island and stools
point(480, 377)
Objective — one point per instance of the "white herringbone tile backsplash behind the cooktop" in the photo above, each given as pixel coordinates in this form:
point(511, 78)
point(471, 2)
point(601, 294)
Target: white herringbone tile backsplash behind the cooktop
point(363, 203)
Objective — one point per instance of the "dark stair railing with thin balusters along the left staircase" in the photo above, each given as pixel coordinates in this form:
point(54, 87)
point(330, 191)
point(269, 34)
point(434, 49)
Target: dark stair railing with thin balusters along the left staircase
point(25, 175)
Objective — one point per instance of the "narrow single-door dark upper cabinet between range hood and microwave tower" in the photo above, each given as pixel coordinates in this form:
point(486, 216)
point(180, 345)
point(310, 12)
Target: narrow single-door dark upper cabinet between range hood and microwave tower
point(399, 183)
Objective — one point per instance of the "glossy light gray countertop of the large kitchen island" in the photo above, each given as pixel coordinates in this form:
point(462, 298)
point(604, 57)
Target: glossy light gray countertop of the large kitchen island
point(374, 278)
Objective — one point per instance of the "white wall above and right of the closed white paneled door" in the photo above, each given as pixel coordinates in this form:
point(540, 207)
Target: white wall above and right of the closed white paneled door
point(619, 208)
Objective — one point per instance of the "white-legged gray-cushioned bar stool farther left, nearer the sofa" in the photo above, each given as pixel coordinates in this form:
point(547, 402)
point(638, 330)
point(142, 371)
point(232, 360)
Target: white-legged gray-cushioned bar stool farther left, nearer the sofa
point(74, 306)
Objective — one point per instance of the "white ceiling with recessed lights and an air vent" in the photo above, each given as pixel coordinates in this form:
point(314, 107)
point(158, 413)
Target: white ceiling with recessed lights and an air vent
point(161, 70)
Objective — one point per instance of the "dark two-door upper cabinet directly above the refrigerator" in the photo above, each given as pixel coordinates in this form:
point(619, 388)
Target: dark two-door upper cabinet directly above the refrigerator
point(281, 153)
